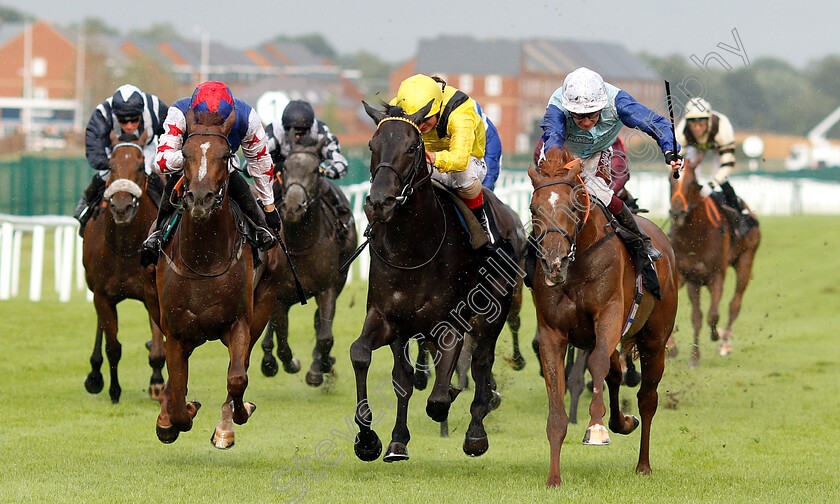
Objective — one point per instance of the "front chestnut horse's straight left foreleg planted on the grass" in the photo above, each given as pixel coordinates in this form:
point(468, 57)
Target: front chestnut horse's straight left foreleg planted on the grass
point(553, 346)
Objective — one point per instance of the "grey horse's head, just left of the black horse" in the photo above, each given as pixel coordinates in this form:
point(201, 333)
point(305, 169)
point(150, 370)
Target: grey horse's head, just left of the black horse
point(301, 177)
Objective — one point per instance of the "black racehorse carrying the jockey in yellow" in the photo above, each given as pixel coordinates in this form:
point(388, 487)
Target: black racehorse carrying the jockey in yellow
point(426, 283)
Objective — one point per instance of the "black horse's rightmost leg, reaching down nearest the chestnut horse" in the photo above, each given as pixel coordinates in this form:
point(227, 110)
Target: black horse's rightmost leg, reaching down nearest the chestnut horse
point(484, 353)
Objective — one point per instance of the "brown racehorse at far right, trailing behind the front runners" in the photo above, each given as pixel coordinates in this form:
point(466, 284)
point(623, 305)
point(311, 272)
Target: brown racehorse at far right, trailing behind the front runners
point(705, 245)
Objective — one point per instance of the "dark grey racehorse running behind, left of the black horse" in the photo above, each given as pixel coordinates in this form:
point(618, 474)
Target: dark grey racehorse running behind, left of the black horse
point(313, 235)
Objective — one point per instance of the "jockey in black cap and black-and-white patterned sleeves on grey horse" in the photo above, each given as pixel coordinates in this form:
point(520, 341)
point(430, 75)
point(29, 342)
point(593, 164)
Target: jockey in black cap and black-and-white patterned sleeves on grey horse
point(299, 121)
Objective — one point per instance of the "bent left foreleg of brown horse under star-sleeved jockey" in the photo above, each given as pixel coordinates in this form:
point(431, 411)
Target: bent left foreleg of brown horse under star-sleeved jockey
point(176, 415)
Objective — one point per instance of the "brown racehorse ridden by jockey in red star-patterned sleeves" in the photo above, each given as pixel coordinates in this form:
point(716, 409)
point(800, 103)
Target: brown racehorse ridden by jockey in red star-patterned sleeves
point(204, 286)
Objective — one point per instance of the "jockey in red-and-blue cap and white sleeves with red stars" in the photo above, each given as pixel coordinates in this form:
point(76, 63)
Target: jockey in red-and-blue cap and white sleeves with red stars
point(247, 132)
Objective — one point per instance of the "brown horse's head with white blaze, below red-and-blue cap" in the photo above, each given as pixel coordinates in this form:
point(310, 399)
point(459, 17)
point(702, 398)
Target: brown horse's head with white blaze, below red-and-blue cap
point(207, 155)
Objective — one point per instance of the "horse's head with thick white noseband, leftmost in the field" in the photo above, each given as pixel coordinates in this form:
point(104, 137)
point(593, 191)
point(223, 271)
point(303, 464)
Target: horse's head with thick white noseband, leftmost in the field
point(128, 177)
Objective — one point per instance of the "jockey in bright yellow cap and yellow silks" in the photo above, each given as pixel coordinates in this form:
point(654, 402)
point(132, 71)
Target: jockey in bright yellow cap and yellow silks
point(454, 137)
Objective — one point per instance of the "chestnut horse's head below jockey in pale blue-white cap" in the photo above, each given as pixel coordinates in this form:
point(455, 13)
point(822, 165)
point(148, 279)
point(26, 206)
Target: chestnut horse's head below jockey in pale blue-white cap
point(559, 208)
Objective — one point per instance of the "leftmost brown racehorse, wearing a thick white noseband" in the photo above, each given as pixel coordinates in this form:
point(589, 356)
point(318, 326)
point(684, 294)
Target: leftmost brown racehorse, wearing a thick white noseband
point(111, 254)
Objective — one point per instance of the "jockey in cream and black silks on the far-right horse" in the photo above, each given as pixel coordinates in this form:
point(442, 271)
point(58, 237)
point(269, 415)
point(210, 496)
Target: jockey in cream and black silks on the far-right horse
point(702, 130)
